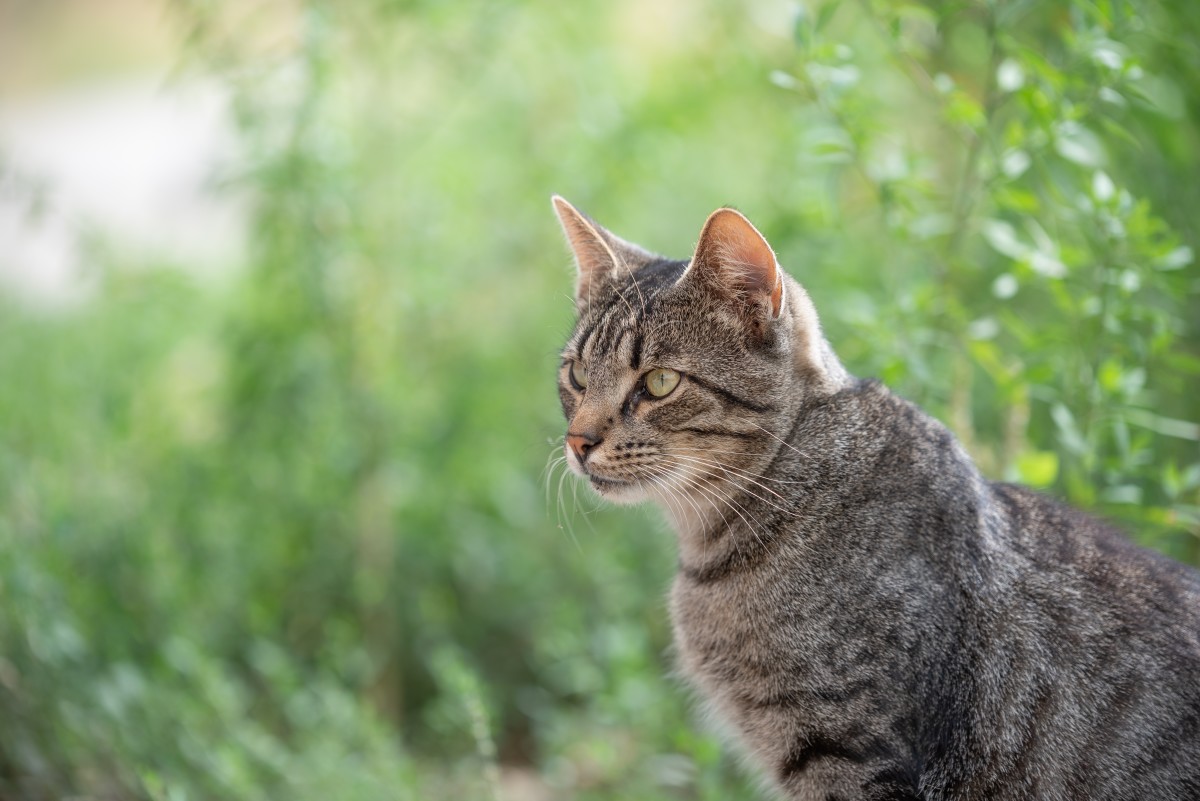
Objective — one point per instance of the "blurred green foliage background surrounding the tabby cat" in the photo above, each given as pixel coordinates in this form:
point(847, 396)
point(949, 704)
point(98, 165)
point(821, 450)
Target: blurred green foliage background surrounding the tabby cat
point(280, 302)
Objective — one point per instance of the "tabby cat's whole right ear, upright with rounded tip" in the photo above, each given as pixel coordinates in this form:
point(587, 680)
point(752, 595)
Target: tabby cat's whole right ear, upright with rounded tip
point(736, 261)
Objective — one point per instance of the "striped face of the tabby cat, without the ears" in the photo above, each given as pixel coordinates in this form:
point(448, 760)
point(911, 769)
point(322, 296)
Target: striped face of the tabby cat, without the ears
point(655, 398)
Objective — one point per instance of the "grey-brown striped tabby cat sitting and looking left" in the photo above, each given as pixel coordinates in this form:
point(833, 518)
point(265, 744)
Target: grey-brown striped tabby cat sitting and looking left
point(872, 617)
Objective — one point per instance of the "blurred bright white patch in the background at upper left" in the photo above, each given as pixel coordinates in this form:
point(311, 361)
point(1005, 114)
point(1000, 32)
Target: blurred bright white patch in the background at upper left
point(135, 164)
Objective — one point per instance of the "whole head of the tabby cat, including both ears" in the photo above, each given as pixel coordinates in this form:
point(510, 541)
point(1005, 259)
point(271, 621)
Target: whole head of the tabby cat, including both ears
point(681, 377)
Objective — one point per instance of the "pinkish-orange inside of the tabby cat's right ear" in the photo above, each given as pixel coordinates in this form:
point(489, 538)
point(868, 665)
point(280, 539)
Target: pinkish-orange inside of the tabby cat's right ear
point(741, 257)
